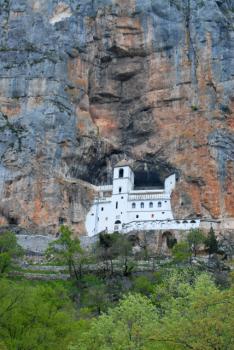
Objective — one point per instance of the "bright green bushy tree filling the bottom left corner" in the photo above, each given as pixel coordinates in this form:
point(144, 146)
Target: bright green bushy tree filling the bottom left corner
point(37, 316)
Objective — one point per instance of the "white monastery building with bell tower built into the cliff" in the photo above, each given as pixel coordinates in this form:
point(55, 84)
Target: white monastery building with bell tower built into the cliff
point(119, 207)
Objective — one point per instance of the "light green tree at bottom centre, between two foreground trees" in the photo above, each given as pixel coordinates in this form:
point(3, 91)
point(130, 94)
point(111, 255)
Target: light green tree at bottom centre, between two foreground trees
point(126, 327)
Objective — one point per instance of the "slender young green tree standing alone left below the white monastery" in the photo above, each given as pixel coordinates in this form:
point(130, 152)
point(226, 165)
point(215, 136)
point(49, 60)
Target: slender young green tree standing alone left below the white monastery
point(68, 251)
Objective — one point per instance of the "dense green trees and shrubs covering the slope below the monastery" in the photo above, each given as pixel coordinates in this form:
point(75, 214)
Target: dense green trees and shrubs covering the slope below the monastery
point(176, 307)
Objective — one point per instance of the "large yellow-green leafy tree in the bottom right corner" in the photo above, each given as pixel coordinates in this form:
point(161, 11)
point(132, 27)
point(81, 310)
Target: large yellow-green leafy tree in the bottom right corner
point(200, 317)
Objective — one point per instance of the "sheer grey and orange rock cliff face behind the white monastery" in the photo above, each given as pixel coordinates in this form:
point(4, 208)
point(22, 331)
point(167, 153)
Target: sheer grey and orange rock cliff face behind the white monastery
point(83, 83)
